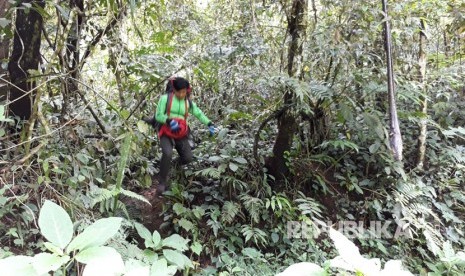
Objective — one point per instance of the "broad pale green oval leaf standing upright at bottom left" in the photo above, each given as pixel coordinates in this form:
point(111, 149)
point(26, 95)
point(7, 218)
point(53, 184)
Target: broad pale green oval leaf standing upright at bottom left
point(55, 224)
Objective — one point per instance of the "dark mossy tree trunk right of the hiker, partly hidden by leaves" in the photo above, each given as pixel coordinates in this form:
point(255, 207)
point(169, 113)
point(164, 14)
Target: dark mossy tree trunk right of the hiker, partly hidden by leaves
point(286, 122)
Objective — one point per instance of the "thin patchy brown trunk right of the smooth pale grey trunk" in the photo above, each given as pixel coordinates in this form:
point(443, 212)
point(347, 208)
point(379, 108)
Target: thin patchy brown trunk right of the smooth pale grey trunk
point(424, 98)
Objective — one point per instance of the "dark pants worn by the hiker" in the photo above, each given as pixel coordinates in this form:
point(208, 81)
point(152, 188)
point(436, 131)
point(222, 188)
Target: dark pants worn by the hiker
point(183, 149)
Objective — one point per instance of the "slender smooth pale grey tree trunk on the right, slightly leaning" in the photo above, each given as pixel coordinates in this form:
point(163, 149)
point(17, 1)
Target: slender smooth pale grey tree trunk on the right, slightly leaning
point(395, 137)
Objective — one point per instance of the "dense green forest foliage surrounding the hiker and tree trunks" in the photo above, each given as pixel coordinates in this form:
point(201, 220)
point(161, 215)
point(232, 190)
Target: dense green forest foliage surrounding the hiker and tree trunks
point(85, 158)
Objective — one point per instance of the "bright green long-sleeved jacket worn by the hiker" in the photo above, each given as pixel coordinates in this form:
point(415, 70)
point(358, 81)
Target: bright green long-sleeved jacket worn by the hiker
point(178, 109)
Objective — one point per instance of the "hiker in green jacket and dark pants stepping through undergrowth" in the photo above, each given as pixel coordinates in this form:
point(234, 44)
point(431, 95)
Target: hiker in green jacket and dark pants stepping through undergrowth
point(171, 116)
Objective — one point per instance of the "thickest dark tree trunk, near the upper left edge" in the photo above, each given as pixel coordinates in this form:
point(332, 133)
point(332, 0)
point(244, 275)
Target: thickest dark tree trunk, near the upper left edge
point(24, 57)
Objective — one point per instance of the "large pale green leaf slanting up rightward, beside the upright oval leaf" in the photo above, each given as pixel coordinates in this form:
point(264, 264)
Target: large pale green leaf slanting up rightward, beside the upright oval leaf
point(96, 234)
